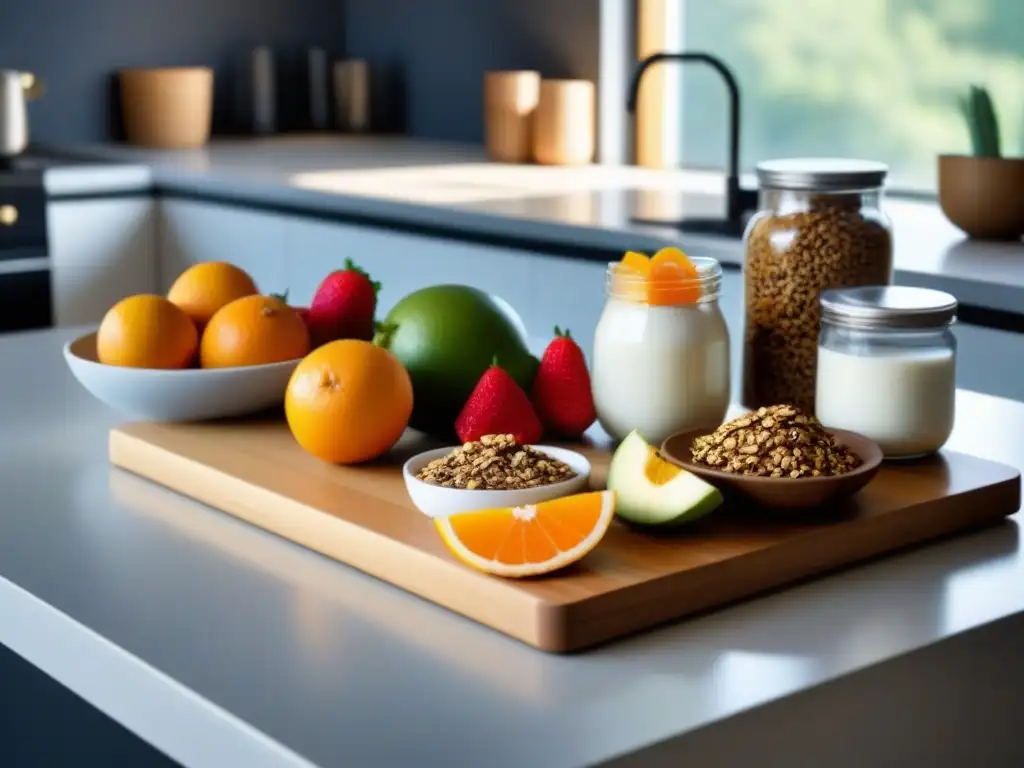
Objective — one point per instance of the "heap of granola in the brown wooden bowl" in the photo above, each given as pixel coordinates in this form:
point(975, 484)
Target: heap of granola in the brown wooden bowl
point(775, 442)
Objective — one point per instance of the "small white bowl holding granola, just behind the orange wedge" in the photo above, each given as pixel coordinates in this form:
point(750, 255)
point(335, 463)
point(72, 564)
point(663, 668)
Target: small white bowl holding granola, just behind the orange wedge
point(436, 501)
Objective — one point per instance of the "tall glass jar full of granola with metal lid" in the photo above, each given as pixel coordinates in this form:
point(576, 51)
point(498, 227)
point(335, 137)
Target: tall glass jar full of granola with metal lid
point(820, 227)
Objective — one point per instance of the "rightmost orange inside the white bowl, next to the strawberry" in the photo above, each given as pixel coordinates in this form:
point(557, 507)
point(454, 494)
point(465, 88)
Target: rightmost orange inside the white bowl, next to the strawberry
point(253, 331)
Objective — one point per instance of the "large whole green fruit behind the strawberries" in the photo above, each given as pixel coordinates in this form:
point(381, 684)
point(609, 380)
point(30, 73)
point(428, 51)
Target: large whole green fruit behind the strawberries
point(447, 336)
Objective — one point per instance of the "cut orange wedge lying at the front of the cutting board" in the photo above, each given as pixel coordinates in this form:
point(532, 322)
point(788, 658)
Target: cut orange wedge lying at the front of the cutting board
point(532, 540)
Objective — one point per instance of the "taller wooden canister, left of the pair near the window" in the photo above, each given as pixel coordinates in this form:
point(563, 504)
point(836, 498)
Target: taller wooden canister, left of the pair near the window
point(509, 103)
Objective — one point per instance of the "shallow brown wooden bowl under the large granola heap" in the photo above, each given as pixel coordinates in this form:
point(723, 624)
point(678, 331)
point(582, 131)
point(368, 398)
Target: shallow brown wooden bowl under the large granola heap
point(782, 493)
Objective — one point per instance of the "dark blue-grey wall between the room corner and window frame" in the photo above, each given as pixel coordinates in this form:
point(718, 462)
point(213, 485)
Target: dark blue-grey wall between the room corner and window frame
point(430, 57)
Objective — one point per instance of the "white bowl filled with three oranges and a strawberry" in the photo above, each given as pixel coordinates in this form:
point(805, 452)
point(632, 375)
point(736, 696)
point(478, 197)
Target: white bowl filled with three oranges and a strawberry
point(215, 347)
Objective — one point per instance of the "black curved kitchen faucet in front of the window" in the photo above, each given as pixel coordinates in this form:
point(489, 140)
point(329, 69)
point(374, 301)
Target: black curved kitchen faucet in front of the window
point(740, 203)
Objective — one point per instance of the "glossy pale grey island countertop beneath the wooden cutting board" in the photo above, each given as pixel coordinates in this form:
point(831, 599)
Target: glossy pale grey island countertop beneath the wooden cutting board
point(224, 646)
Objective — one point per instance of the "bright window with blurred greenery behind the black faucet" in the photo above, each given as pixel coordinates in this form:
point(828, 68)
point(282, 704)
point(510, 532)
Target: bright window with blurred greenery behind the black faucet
point(877, 79)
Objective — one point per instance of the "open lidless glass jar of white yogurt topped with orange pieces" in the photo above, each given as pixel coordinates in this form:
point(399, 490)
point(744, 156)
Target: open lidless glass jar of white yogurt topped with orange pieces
point(662, 360)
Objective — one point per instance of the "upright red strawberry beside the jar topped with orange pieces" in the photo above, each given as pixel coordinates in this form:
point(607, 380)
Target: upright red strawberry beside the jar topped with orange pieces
point(562, 392)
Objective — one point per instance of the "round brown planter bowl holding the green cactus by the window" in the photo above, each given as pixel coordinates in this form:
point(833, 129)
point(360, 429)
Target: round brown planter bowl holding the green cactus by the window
point(985, 197)
